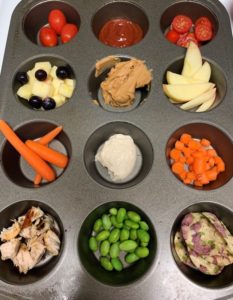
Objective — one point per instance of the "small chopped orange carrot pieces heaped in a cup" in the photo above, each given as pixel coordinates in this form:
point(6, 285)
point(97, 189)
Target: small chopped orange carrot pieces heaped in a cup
point(195, 161)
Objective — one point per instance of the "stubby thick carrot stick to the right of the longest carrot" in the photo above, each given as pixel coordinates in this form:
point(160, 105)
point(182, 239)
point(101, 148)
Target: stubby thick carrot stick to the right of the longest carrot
point(58, 159)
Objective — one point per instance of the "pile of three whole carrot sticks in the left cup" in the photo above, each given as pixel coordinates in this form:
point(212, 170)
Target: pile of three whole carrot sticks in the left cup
point(37, 153)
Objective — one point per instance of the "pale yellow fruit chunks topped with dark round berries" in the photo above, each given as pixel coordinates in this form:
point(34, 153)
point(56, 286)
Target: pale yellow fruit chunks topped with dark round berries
point(46, 86)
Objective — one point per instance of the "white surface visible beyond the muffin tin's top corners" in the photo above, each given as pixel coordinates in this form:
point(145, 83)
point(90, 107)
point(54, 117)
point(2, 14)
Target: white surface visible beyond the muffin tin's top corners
point(7, 7)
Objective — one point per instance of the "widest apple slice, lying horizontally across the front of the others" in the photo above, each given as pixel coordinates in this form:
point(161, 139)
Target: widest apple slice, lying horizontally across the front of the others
point(186, 92)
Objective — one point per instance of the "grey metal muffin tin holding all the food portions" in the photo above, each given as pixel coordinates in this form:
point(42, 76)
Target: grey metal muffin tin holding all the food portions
point(154, 124)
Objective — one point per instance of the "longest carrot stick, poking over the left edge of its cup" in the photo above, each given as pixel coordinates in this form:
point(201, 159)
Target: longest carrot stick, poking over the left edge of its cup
point(34, 160)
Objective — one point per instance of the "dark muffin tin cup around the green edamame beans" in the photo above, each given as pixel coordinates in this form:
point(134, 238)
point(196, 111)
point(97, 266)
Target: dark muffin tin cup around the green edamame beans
point(128, 275)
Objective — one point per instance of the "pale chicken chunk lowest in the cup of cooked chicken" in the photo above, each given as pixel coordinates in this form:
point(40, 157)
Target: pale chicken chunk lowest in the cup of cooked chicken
point(23, 260)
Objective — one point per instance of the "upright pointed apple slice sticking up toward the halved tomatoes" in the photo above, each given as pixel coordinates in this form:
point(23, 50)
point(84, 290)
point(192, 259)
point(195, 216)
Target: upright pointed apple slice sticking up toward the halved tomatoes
point(192, 60)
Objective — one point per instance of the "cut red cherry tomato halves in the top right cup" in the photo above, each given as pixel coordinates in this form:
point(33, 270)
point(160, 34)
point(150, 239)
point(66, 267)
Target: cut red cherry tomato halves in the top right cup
point(182, 31)
